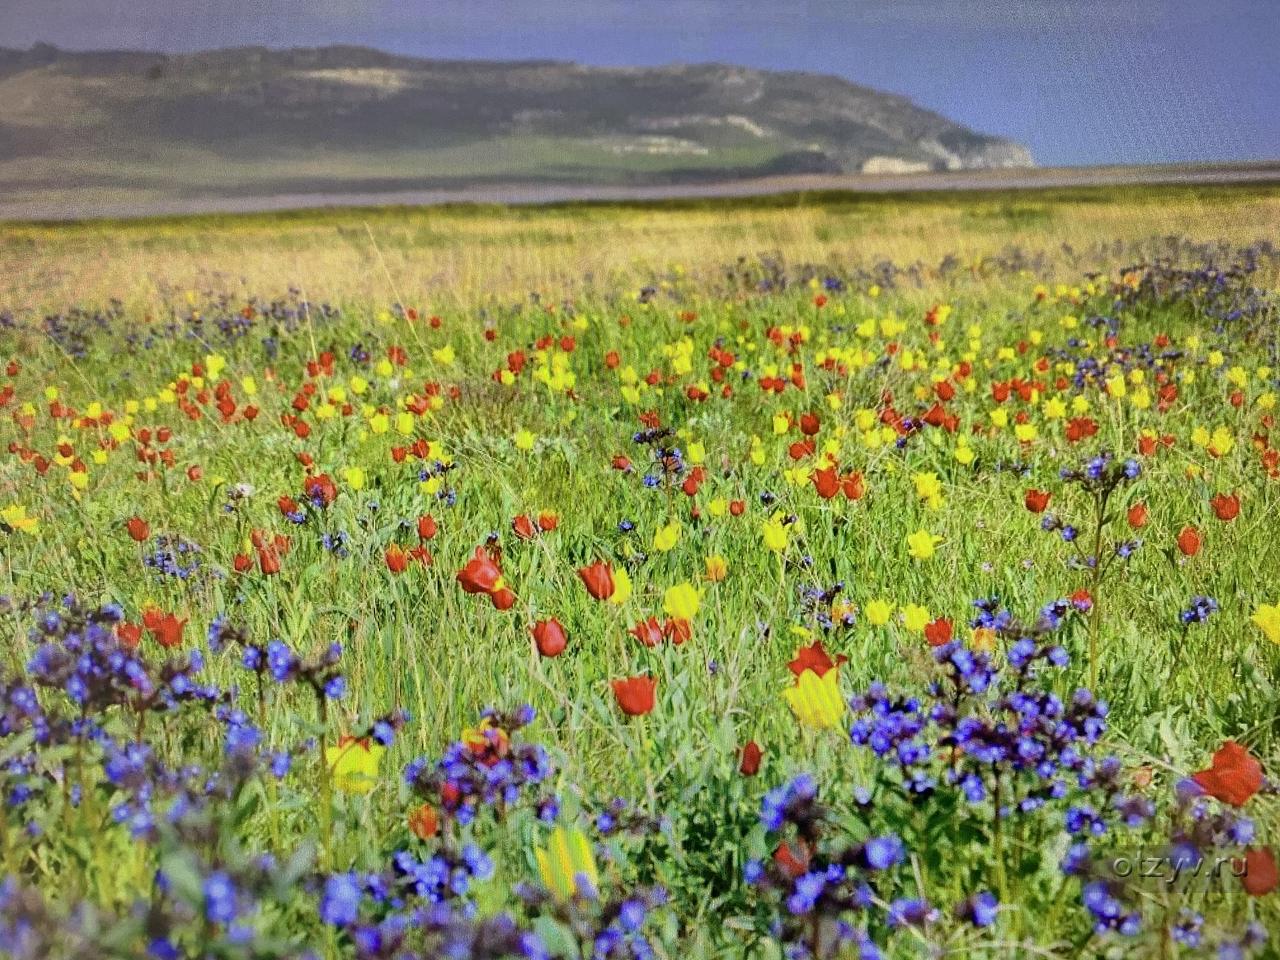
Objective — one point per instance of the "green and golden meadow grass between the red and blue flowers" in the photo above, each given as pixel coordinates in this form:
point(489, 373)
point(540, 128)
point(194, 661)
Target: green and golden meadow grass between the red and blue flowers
point(417, 641)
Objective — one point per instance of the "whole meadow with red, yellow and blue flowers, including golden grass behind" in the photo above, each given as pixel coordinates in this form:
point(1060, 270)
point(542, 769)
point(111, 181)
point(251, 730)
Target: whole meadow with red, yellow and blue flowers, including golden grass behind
point(824, 579)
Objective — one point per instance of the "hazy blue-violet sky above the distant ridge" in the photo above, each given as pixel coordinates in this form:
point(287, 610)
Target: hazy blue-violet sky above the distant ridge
point(1078, 81)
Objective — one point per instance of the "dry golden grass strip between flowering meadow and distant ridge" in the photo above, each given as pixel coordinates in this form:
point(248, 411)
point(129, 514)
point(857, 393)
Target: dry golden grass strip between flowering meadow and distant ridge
point(459, 257)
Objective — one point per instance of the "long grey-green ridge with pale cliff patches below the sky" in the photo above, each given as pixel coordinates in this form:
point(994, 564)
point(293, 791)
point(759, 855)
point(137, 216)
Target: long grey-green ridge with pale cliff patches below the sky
point(255, 122)
